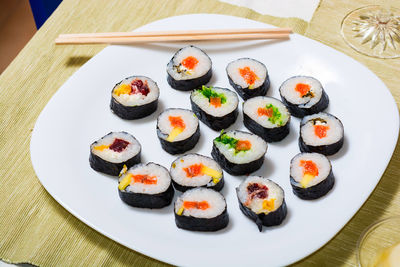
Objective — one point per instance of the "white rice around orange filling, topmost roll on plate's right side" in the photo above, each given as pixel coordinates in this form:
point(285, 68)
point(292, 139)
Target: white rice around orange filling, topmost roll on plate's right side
point(288, 91)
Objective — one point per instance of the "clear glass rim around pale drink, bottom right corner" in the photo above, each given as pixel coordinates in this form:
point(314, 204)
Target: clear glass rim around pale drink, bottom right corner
point(376, 238)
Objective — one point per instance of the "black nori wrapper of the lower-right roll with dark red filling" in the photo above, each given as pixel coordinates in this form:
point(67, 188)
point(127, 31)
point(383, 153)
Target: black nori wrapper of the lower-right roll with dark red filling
point(271, 219)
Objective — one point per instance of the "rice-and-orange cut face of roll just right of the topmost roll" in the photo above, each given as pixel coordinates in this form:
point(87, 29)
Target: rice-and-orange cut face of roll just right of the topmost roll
point(247, 73)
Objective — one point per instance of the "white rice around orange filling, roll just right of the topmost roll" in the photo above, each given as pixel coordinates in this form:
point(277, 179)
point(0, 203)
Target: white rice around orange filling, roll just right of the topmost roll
point(257, 67)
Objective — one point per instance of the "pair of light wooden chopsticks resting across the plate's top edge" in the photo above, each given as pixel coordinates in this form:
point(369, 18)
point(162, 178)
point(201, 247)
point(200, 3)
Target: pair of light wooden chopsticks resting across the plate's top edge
point(171, 36)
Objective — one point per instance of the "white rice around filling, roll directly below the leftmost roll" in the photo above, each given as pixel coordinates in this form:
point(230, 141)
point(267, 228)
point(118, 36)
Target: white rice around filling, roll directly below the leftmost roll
point(151, 169)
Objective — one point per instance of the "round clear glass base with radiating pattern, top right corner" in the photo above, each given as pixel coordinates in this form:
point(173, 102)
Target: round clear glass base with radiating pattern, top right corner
point(373, 31)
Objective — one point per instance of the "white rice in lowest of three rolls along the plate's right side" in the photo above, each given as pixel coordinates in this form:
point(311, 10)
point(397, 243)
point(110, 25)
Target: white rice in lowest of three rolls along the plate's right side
point(322, 162)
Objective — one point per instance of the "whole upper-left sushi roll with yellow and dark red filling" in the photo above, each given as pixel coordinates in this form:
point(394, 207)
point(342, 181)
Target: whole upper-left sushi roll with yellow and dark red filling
point(134, 97)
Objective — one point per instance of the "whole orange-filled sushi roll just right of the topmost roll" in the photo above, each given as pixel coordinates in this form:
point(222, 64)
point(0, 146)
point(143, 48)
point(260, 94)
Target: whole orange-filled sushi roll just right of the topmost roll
point(248, 77)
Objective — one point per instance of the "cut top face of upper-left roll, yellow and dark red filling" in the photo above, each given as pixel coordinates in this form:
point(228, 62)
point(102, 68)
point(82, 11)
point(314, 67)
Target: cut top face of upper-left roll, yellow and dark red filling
point(135, 91)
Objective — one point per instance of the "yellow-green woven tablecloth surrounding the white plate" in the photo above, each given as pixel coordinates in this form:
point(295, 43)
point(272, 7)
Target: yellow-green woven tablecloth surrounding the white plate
point(36, 229)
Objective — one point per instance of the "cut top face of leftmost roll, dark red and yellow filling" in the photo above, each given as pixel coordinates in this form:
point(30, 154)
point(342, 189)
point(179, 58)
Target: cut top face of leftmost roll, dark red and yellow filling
point(116, 147)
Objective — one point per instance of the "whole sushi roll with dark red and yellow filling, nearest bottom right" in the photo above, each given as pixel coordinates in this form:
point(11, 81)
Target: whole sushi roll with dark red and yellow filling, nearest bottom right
point(262, 200)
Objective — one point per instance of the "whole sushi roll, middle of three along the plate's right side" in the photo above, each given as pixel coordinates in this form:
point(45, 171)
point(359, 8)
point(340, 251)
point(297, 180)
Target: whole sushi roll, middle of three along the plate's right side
point(321, 133)
